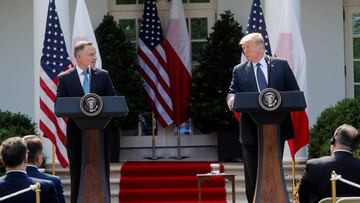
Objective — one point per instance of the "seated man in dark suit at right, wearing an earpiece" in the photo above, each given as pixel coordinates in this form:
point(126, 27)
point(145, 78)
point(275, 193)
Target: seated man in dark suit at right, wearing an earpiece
point(315, 183)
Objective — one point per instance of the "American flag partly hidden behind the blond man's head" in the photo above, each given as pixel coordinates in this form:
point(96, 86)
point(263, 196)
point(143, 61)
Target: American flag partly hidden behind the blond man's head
point(256, 23)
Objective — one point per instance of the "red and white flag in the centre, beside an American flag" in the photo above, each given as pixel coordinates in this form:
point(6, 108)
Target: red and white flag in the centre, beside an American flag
point(179, 60)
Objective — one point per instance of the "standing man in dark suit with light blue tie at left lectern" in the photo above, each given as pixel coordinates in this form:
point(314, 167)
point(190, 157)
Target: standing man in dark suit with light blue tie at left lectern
point(71, 85)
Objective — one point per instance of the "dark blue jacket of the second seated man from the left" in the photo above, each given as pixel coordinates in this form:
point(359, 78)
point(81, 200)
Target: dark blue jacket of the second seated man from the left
point(33, 171)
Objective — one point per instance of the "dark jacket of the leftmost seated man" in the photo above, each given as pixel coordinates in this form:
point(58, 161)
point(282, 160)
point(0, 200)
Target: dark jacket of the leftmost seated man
point(15, 181)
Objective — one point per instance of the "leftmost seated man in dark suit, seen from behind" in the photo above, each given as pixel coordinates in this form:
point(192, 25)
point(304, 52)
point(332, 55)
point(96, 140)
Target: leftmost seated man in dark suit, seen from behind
point(14, 156)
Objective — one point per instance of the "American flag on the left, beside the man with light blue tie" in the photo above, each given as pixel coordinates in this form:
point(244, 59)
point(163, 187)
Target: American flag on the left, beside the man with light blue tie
point(54, 60)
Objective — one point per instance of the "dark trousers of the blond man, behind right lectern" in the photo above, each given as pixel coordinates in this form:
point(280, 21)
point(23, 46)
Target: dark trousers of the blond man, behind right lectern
point(250, 159)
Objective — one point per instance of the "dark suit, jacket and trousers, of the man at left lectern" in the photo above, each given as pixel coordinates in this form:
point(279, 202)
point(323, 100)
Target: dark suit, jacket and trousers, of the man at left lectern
point(70, 86)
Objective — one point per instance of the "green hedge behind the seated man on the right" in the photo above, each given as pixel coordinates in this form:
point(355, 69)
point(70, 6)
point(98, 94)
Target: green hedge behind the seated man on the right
point(345, 111)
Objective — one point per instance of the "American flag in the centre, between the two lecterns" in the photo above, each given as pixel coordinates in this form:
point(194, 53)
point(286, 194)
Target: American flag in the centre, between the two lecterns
point(153, 66)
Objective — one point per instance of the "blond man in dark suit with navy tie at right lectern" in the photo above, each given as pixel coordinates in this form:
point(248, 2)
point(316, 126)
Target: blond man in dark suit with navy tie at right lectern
point(258, 72)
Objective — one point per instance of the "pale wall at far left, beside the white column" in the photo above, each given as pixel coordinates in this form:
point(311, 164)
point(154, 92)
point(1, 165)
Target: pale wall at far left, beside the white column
point(16, 56)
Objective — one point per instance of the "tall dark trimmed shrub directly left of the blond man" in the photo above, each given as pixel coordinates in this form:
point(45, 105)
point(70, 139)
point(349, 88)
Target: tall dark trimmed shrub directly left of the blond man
point(211, 78)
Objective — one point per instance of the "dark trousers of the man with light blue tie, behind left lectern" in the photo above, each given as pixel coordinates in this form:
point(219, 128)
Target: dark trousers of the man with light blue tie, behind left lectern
point(74, 147)
